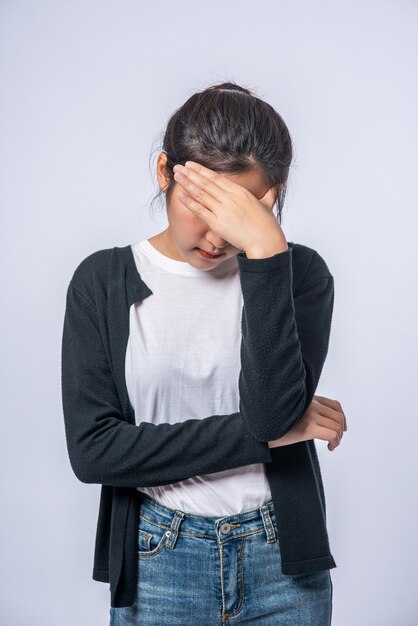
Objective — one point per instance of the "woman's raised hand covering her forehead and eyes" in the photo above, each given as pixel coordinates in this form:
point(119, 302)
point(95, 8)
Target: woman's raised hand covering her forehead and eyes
point(230, 209)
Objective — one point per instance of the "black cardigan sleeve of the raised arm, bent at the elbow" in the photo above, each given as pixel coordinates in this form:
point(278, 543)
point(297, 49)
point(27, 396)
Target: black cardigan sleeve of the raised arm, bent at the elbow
point(285, 337)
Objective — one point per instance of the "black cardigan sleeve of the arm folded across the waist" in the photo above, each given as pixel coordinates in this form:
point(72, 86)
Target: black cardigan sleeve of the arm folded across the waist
point(104, 448)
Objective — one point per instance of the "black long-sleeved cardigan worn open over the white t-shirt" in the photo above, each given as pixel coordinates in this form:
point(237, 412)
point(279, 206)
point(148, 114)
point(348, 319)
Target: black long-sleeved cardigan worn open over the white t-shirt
point(286, 319)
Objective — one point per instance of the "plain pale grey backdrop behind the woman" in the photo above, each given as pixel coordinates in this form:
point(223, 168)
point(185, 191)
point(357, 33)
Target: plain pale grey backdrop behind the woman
point(87, 89)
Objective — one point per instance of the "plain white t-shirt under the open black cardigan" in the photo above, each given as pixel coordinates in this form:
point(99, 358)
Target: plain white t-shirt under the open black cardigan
point(183, 361)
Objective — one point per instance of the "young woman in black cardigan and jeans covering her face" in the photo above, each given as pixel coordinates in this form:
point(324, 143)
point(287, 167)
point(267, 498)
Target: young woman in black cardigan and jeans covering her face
point(190, 362)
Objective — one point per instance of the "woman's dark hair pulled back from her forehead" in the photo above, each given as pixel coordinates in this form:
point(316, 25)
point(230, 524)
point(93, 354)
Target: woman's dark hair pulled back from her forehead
point(228, 129)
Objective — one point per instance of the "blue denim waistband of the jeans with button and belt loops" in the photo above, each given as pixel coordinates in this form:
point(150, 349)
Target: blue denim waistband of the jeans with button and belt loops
point(216, 527)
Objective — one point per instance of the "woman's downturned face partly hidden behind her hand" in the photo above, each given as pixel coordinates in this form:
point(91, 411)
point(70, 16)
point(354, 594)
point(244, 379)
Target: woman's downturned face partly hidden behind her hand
point(187, 233)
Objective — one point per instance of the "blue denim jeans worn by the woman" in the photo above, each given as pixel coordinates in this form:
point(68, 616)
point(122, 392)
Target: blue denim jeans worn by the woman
point(197, 569)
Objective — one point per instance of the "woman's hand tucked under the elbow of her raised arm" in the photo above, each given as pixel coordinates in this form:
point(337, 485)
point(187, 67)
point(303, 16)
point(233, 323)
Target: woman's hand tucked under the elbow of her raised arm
point(323, 419)
